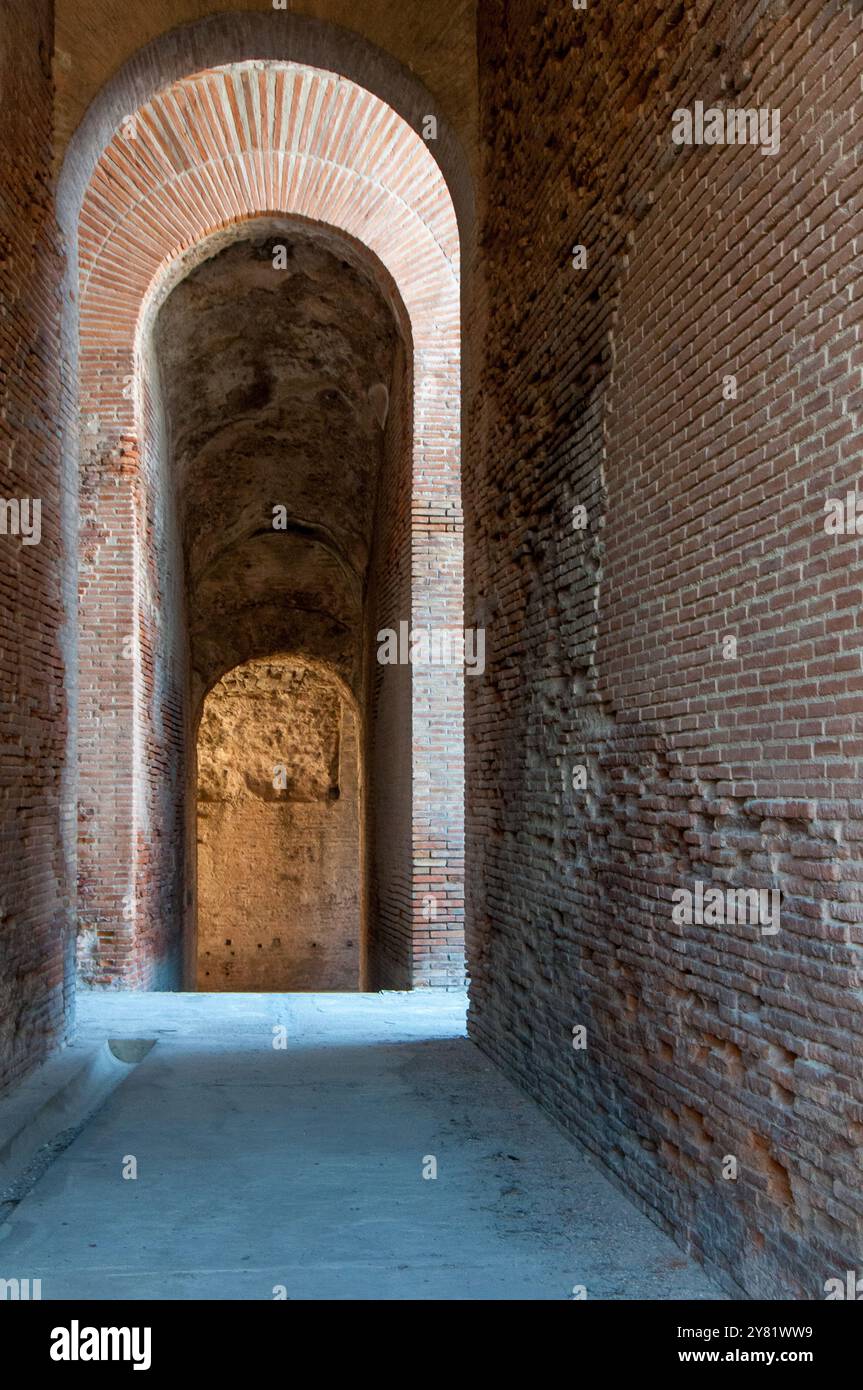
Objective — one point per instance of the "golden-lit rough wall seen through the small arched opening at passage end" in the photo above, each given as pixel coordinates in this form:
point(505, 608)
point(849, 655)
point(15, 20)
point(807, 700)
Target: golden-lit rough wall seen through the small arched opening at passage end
point(279, 833)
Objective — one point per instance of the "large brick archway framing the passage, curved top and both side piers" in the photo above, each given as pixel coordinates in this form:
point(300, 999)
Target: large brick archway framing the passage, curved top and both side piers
point(262, 140)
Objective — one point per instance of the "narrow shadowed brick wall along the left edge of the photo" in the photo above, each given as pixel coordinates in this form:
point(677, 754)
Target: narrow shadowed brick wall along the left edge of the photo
point(37, 582)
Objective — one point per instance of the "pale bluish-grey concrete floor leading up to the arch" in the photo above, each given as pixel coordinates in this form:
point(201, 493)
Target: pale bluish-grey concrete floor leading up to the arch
point(302, 1168)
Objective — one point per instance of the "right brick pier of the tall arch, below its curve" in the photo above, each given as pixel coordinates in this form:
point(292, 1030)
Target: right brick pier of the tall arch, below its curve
point(416, 715)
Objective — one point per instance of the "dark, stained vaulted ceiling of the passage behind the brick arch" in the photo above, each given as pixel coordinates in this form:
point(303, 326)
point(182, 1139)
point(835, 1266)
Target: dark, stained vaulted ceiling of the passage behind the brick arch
point(276, 361)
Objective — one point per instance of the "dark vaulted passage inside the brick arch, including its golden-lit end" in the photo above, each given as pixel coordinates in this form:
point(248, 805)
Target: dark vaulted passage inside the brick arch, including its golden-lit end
point(270, 375)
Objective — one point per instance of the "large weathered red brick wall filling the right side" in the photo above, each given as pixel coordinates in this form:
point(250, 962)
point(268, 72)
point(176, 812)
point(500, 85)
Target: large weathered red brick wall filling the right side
point(604, 387)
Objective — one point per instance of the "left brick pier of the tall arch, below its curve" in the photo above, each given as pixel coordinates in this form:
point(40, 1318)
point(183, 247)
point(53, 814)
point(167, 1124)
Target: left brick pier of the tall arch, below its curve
point(135, 719)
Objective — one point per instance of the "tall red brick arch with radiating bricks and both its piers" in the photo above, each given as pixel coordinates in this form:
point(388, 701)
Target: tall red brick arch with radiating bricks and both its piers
point(213, 151)
